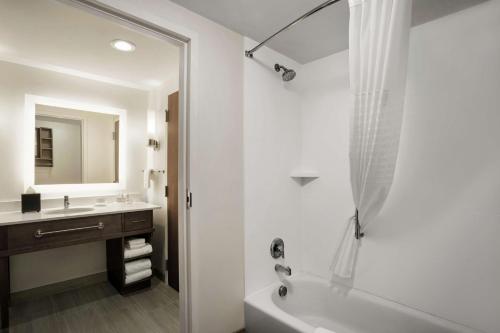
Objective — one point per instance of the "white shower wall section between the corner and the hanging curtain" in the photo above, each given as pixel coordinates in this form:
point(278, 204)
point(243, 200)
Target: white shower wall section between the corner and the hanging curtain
point(326, 201)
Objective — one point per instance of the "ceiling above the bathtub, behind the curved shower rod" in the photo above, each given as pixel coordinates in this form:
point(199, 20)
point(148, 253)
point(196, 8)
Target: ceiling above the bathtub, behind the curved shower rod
point(320, 35)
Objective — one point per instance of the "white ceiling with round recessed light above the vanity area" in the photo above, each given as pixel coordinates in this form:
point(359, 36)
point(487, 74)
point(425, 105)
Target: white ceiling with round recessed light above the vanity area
point(53, 35)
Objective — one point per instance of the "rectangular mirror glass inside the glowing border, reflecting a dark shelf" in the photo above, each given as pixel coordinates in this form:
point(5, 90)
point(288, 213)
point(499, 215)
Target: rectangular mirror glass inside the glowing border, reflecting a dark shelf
point(75, 146)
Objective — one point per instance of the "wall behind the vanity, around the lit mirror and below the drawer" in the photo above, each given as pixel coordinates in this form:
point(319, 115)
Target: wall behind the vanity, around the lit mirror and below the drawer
point(15, 82)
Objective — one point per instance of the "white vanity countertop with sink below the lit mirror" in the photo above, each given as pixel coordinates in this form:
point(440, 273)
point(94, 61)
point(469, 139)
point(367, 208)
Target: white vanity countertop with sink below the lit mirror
point(11, 218)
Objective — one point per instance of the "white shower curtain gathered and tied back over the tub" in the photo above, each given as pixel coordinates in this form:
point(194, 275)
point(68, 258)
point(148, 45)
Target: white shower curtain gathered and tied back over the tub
point(378, 52)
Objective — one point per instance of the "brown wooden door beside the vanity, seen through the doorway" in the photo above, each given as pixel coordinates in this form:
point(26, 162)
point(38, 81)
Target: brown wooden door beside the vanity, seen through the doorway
point(173, 190)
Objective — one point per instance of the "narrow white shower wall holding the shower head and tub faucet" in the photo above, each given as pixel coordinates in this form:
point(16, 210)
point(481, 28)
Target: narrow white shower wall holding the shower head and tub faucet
point(271, 153)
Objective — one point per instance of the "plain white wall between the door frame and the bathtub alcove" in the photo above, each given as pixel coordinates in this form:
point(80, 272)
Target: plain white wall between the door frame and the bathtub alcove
point(216, 143)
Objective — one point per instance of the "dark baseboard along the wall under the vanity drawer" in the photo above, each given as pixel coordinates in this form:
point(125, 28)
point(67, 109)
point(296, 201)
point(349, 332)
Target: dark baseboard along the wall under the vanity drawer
point(57, 288)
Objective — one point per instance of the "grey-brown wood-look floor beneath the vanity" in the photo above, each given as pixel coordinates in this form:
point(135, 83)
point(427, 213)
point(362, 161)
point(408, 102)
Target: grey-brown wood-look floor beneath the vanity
point(99, 308)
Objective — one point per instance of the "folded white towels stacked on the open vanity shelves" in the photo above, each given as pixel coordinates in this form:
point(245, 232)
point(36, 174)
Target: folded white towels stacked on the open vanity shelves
point(138, 269)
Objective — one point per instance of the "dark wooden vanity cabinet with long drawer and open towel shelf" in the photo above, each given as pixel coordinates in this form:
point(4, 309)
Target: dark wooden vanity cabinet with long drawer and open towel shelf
point(36, 236)
